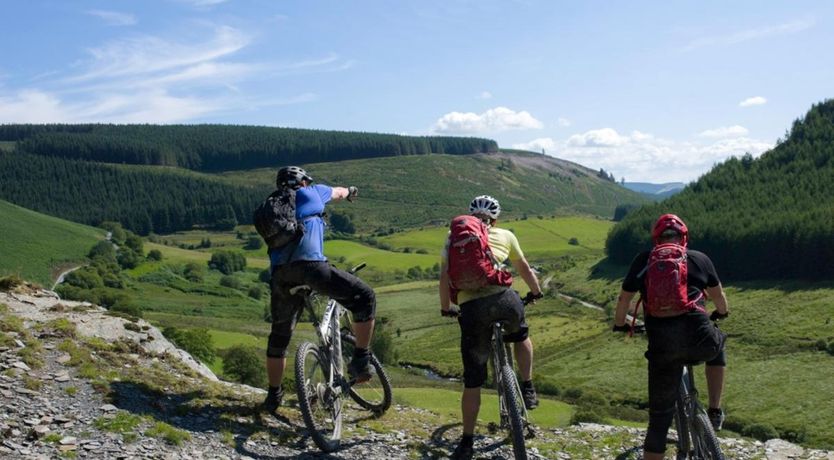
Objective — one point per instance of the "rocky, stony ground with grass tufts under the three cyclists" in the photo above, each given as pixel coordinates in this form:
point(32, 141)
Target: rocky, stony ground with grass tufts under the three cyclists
point(76, 382)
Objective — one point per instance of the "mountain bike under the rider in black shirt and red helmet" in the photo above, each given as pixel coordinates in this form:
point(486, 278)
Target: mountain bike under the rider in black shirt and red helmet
point(696, 437)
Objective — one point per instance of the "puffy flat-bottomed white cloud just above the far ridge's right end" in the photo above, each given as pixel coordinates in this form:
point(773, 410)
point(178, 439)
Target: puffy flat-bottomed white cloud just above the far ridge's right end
point(491, 121)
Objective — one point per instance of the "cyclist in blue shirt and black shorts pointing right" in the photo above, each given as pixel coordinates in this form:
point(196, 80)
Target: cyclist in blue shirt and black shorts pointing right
point(304, 262)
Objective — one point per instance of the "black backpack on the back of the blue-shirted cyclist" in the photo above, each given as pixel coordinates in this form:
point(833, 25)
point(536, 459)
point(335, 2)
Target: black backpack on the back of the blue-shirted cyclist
point(275, 219)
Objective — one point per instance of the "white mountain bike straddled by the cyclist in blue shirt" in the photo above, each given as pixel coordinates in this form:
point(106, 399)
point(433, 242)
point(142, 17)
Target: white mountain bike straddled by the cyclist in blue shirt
point(321, 383)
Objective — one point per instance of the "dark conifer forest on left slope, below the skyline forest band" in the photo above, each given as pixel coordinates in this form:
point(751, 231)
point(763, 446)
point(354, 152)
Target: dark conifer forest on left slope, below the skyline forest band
point(143, 200)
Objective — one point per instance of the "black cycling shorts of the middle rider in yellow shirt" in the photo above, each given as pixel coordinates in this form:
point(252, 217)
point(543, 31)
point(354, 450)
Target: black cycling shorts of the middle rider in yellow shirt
point(476, 320)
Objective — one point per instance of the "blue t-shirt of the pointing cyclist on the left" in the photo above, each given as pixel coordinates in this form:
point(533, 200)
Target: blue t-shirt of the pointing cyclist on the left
point(309, 205)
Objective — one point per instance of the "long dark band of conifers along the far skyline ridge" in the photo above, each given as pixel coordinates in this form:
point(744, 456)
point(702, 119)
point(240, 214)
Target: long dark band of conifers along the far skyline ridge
point(213, 148)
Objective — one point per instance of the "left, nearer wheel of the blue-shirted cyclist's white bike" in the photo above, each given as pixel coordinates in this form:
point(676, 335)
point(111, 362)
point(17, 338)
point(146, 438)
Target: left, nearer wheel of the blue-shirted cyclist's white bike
point(319, 401)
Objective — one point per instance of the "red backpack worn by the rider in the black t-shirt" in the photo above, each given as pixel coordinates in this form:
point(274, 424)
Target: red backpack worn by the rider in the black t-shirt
point(666, 281)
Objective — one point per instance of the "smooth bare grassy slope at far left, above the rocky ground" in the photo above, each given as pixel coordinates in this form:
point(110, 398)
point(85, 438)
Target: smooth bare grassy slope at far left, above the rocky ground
point(33, 246)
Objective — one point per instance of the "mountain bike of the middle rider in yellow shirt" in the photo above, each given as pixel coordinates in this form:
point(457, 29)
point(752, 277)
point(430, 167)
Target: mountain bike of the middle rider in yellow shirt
point(513, 412)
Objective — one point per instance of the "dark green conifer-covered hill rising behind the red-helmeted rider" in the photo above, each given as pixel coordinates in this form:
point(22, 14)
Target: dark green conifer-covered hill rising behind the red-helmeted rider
point(765, 218)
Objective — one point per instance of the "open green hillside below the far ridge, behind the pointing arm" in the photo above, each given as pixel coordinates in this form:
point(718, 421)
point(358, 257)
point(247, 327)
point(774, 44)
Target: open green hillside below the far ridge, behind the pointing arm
point(404, 192)
